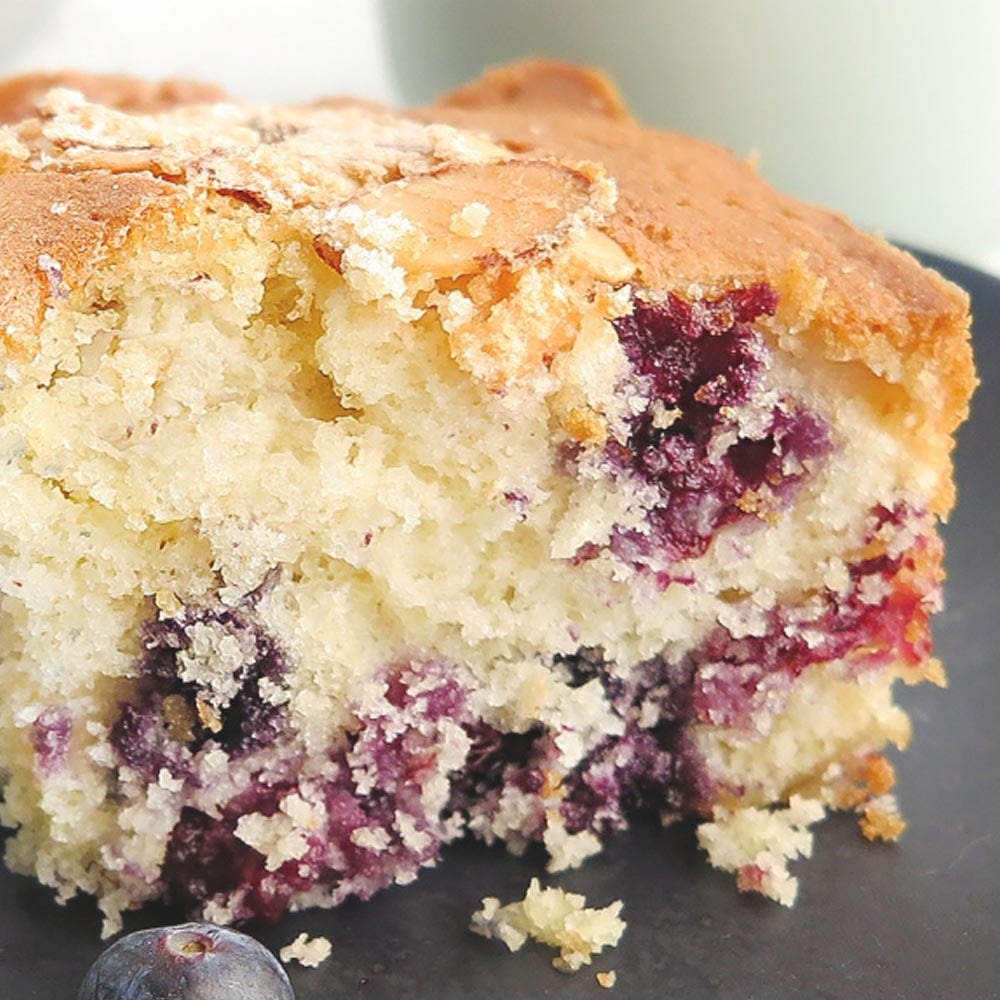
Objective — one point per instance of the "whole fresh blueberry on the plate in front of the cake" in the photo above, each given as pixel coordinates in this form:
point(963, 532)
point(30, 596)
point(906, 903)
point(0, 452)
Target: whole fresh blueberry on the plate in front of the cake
point(186, 962)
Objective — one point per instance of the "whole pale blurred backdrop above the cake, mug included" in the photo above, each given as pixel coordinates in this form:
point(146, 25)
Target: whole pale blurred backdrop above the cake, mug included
point(888, 110)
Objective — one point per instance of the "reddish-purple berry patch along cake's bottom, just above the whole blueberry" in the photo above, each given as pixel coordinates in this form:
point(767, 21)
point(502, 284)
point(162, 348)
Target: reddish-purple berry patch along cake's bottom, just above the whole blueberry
point(378, 826)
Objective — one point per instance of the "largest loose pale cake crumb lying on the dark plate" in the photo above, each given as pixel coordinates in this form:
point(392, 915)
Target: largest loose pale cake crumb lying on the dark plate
point(555, 918)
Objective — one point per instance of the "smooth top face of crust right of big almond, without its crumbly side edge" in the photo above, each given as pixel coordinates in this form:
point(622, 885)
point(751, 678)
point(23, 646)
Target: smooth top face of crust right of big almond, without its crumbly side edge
point(689, 212)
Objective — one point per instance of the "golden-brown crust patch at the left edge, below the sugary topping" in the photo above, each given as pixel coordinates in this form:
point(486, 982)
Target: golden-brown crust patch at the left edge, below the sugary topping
point(55, 229)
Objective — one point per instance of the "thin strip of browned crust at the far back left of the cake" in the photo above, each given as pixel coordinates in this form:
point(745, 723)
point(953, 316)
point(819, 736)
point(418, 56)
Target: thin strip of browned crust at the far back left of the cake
point(19, 96)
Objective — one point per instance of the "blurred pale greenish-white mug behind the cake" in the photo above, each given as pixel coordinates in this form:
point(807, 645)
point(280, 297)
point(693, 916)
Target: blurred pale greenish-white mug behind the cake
point(888, 110)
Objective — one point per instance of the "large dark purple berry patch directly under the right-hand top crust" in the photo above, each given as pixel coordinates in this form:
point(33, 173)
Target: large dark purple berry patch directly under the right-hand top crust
point(698, 361)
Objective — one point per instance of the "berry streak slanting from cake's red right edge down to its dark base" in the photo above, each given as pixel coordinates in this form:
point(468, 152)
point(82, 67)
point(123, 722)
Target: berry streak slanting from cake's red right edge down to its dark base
point(725, 680)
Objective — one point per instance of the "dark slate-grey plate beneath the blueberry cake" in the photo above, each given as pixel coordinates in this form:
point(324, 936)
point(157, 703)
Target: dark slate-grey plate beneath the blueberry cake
point(920, 919)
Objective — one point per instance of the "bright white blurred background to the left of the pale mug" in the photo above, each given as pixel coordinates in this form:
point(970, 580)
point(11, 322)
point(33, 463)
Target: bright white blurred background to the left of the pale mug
point(266, 50)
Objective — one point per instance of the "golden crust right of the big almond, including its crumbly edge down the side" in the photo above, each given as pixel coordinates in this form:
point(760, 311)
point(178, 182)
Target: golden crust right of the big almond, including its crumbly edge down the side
point(689, 213)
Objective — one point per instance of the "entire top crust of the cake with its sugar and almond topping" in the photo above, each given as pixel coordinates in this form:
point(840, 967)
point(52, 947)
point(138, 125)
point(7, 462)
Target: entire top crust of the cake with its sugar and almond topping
point(691, 217)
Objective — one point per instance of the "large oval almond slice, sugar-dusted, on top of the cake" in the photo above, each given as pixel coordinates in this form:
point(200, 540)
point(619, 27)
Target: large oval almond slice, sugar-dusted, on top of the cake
point(532, 206)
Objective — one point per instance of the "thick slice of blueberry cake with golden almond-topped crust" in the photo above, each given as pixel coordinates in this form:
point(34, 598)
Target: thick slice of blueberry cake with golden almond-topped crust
point(499, 468)
